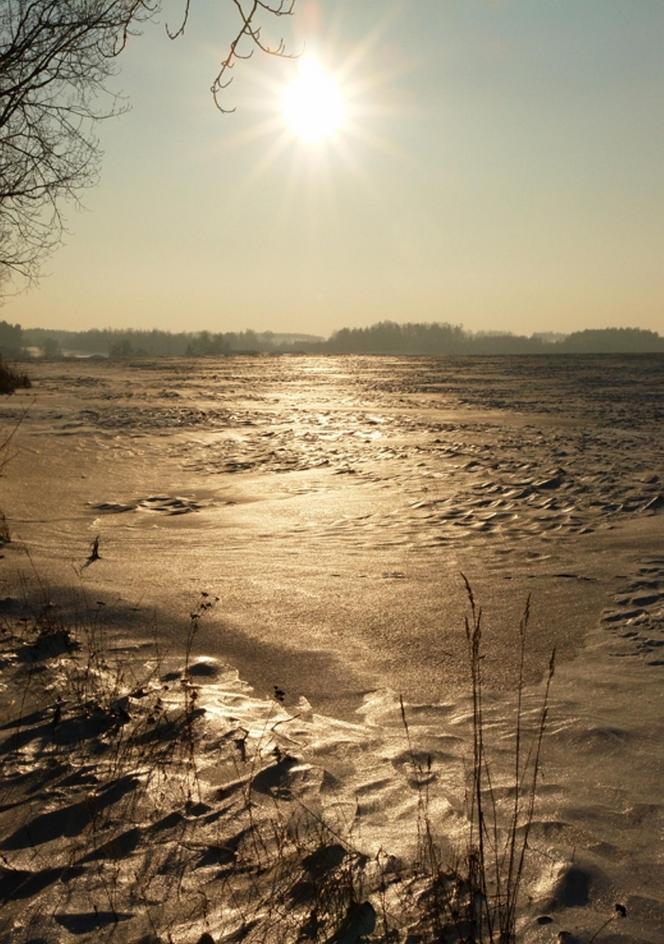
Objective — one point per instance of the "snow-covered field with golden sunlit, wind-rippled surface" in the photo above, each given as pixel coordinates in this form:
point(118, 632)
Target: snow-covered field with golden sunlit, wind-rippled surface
point(331, 504)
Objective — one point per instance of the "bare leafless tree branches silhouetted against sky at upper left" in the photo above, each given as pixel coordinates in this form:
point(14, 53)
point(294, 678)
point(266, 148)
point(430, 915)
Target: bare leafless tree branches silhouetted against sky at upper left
point(56, 57)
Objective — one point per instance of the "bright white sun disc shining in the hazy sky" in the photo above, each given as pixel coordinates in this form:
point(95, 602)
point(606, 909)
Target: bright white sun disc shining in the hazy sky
point(313, 105)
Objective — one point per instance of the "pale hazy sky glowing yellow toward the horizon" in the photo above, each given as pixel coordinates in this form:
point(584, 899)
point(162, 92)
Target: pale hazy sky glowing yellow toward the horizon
point(499, 164)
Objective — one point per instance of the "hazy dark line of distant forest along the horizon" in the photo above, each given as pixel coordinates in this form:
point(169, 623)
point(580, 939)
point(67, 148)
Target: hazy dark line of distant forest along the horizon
point(385, 337)
